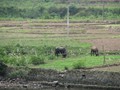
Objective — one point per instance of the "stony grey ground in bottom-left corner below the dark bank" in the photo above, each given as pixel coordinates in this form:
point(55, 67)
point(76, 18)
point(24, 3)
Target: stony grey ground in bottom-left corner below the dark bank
point(21, 84)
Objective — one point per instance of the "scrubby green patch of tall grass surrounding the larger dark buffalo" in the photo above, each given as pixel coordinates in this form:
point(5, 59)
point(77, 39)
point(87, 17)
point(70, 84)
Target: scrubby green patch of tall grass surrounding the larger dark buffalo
point(38, 52)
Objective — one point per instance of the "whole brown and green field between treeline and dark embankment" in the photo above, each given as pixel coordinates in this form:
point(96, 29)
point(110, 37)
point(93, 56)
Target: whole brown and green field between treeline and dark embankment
point(40, 37)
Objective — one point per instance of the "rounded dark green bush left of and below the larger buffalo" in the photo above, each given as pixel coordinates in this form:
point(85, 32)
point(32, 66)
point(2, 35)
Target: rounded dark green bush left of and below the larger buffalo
point(36, 60)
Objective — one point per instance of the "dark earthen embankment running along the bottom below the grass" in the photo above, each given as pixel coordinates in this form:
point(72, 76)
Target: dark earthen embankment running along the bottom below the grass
point(42, 78)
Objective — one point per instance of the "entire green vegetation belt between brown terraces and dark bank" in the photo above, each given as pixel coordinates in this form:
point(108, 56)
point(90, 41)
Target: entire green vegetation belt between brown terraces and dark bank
point(42, 55)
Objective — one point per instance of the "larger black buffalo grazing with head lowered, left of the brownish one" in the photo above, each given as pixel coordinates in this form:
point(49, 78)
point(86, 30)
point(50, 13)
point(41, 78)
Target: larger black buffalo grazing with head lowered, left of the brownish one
point(61, 50)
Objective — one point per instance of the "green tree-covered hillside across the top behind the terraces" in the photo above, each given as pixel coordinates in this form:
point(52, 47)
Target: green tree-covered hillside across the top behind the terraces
point(57, 9)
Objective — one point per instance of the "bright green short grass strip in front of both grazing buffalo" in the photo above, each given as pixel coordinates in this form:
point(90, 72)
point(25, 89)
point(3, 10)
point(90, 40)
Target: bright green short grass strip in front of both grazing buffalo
point(87, 61)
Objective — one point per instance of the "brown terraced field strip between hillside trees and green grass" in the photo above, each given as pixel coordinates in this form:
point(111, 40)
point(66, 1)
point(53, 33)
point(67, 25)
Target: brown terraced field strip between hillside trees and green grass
point(98, 33)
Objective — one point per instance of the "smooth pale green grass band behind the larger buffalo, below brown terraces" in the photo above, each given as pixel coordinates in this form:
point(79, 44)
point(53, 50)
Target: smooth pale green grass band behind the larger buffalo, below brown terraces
point(43, 41)
